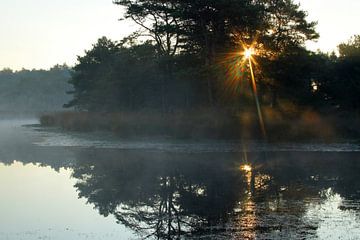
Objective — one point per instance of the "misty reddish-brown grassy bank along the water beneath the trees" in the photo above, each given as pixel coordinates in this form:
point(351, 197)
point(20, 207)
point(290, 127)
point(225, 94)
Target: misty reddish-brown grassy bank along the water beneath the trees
point(281, 125)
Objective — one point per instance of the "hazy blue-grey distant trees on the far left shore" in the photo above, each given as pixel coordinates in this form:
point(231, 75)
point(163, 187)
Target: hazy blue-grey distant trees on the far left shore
point(34, 90)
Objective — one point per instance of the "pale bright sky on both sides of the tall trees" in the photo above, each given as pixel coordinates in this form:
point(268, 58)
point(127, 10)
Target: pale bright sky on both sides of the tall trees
point(37, 34)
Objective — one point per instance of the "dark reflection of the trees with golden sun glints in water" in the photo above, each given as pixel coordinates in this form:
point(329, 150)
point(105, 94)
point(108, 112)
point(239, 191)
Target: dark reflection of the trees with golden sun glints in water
point(170, 196)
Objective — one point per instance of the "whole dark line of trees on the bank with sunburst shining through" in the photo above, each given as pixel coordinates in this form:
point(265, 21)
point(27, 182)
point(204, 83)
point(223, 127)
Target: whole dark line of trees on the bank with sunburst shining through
point(188, 54)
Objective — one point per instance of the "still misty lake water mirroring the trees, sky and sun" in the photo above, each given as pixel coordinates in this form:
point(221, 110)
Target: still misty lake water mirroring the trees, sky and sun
point(96, 188)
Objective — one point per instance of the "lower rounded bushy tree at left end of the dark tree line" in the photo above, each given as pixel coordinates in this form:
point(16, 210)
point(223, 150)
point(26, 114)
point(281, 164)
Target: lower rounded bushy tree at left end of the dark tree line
point(117, 76)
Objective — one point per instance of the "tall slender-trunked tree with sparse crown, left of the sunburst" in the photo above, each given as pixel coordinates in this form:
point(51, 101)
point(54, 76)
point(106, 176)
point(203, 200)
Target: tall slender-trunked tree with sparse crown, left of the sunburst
point(158, 20)
